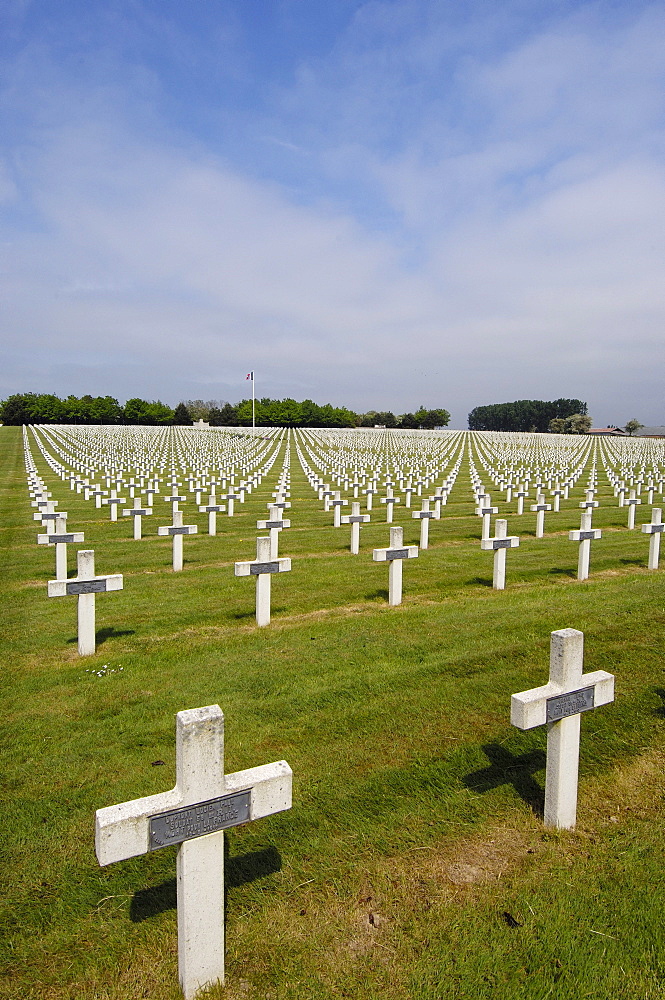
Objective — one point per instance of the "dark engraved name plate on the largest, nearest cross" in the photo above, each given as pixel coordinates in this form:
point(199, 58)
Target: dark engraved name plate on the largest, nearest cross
point(179, 825)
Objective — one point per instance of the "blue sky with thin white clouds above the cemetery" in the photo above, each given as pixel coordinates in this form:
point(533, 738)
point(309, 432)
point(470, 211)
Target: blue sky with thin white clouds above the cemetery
point(380, 204)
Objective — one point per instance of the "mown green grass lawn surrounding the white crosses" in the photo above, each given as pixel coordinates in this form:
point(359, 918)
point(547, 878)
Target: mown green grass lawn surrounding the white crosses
point(414, 863)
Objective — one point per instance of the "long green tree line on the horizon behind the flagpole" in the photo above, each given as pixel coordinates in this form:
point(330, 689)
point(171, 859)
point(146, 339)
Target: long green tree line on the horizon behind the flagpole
point(46, 408)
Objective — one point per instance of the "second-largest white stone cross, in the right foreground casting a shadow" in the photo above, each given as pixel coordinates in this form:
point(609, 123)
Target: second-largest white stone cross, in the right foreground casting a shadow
point(559, 703)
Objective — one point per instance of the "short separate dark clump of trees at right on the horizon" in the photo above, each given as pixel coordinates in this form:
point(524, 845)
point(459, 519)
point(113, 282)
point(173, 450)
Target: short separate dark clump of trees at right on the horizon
point(536, 415)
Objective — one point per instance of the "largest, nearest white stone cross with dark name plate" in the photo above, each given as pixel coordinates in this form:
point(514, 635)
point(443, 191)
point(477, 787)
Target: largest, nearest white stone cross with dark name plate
point(194, 814)
